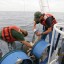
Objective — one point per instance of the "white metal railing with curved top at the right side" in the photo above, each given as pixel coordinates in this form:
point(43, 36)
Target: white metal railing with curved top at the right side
point(59, 31)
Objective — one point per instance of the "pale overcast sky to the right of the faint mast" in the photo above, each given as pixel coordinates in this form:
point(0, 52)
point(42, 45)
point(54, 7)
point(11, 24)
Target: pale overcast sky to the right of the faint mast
point(56, 5)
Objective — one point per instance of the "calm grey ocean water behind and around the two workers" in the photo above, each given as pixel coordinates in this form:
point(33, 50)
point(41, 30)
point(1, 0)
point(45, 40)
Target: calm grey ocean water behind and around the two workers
point(23, 19)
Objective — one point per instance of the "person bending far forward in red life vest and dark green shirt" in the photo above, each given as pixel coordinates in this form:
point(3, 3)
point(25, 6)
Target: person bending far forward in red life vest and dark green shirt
point(14, 33)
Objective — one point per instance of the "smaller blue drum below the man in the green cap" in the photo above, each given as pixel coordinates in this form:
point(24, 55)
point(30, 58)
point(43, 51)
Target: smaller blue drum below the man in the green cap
point(39, 48)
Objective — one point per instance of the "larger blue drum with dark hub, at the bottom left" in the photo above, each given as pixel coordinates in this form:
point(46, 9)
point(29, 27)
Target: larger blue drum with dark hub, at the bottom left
point(14, 56)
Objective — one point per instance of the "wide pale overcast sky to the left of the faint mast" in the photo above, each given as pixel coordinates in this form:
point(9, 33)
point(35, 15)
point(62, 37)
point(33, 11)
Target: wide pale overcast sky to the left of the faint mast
point(19, 5)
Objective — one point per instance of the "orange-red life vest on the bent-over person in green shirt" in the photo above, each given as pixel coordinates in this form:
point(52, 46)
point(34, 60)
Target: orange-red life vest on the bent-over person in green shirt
point(6, 33)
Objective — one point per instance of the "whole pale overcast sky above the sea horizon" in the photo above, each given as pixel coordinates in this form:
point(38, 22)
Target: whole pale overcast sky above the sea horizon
point(32, 5)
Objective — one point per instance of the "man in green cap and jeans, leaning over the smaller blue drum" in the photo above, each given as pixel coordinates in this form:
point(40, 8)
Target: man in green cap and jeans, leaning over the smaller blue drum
point(48, 21)
